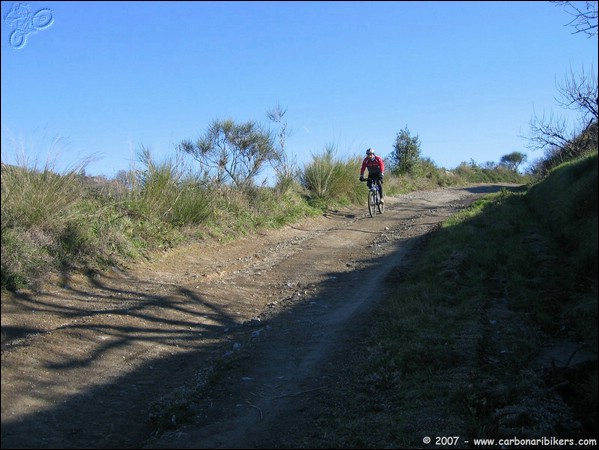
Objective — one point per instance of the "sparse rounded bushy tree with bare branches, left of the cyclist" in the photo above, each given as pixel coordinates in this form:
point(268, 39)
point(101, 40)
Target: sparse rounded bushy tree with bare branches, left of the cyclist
point(231, 152)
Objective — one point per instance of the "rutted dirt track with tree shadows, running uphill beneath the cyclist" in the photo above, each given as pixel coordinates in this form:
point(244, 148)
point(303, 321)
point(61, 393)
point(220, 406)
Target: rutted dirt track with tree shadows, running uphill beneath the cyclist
point(100, 362)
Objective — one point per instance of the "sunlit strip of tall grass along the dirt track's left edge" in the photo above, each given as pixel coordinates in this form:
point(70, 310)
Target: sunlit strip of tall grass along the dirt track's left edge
point(65, 223)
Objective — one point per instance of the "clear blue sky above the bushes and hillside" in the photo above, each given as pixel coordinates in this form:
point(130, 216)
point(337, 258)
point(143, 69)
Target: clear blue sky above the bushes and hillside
point(111, 77)
